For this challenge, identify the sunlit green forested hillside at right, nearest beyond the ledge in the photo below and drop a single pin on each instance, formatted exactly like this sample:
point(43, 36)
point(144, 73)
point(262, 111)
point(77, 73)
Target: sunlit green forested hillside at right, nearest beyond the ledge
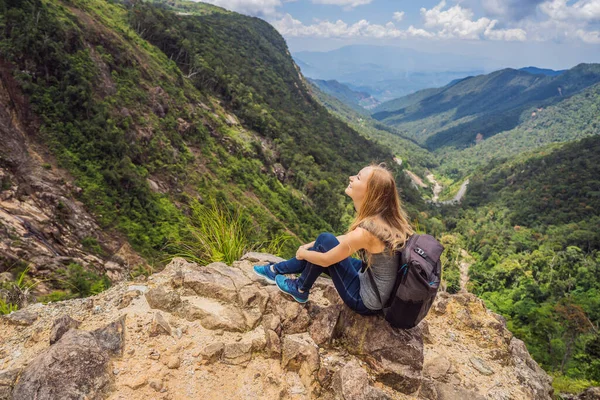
point(532, 225)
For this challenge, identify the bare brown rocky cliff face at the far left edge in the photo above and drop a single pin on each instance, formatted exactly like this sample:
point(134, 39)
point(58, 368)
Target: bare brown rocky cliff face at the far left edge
point(42, 223)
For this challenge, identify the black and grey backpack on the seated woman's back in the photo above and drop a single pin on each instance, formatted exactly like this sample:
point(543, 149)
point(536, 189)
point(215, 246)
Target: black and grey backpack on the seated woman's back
point(417, 282)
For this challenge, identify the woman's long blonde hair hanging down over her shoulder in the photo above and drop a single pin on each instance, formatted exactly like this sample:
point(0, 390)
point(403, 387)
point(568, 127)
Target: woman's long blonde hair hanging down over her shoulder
point(382, 200)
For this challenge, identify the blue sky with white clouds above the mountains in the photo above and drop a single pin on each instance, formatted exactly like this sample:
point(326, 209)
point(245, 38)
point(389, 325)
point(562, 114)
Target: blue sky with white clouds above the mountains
point(515, 33)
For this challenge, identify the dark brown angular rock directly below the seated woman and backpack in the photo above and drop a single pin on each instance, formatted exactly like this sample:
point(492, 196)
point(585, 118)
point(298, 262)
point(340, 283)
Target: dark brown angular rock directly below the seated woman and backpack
point(396, 356)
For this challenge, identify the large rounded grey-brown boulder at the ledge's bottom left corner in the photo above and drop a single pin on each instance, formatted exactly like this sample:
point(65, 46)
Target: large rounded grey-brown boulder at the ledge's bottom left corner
point(76, 367)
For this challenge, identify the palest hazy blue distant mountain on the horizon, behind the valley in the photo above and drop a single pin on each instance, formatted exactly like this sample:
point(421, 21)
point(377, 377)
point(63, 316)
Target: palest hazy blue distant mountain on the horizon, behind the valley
point(388, 72)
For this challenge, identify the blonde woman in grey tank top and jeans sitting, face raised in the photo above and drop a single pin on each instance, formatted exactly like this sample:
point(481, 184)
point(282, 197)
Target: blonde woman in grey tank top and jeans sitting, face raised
point(380, 228)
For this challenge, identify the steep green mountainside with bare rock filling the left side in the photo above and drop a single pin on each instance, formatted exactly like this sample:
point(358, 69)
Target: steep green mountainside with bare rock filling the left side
point(126, 123)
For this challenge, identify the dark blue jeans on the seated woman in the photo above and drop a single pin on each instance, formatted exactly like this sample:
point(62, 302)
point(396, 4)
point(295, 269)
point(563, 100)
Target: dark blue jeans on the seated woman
point(344, 274)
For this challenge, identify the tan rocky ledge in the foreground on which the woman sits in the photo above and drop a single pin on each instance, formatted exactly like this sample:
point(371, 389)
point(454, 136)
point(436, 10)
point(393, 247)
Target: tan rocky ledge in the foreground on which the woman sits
point(218, 331)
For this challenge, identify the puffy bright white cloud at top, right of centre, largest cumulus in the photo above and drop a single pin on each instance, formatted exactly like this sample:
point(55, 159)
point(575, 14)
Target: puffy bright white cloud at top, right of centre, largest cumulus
point(458, 23)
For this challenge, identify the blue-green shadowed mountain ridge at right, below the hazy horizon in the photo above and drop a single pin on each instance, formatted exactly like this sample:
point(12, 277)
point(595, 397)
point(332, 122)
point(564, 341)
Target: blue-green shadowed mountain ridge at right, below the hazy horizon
point(482, 106)
